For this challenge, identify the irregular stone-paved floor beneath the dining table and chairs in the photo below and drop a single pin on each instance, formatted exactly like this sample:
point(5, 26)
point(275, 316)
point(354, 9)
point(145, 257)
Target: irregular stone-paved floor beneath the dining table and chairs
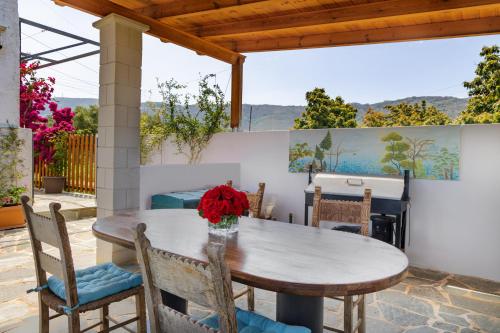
point(426, 302)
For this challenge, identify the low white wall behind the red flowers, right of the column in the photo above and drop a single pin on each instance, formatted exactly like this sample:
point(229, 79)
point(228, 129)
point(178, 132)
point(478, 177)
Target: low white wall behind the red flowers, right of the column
point(168, 178)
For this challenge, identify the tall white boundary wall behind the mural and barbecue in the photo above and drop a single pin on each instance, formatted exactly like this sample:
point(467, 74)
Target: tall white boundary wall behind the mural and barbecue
point(455, 225)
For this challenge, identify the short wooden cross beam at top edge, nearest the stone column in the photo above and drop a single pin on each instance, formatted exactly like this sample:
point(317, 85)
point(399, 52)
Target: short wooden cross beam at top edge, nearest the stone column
point(189, 7)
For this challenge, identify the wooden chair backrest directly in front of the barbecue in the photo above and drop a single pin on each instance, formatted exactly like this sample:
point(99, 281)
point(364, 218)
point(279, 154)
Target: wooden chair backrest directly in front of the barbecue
point(357, 212)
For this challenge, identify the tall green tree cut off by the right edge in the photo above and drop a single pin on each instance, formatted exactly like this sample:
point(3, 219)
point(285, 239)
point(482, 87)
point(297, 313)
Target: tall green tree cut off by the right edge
point(483, 106)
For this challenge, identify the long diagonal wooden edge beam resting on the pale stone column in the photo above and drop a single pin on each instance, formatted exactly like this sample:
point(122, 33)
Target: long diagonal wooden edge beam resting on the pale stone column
point(156, 28)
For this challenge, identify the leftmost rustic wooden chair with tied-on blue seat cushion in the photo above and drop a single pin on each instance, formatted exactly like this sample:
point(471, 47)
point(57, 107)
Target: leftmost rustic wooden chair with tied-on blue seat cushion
point(69, 292)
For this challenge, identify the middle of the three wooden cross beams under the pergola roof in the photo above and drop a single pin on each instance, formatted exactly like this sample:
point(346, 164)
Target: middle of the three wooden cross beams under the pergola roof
point(374, 10)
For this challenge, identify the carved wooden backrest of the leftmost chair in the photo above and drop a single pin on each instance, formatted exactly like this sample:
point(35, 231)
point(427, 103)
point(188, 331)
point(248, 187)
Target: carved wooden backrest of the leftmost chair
point(51, 231)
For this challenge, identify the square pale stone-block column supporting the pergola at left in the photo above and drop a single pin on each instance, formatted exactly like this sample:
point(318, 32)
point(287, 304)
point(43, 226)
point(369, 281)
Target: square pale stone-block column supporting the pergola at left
point(118, 154)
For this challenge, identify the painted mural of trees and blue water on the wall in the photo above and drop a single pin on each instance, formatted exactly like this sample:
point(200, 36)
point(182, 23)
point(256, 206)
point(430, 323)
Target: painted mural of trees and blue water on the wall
point(430, 152)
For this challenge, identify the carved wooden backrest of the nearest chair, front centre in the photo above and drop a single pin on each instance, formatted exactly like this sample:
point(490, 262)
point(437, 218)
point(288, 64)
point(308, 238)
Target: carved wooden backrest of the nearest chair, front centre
point(208, 285)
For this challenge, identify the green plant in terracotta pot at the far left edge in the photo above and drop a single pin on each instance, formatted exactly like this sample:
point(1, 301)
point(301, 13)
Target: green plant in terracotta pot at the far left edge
point(11, 164)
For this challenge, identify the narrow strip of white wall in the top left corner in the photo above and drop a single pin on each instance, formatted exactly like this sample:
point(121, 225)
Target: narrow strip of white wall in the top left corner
point(9, 63)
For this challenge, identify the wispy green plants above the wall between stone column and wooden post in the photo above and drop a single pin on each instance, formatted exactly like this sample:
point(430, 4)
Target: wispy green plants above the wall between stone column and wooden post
point(191, 129)
